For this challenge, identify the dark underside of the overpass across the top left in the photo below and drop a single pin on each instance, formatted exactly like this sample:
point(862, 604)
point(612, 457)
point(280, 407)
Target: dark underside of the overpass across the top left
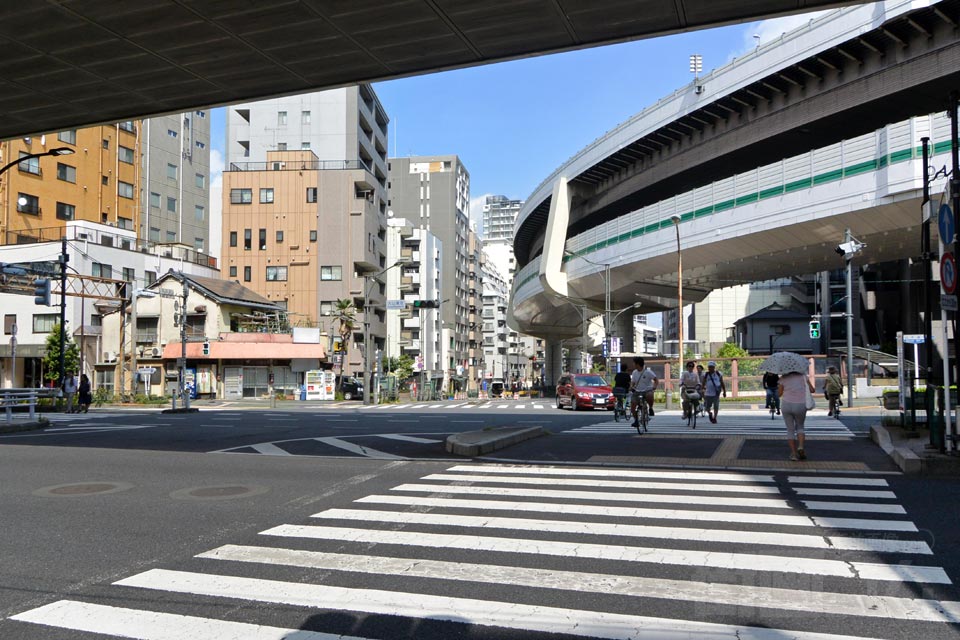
point(80, 62)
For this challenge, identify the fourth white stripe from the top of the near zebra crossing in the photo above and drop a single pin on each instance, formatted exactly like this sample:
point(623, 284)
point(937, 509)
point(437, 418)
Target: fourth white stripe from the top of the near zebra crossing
point(645, 513)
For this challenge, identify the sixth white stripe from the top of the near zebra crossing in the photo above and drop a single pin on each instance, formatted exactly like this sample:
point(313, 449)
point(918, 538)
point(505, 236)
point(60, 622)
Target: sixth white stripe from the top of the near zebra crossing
point(647, 555)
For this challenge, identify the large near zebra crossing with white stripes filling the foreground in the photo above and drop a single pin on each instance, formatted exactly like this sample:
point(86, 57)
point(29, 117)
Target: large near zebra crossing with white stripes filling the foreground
point(596, 553)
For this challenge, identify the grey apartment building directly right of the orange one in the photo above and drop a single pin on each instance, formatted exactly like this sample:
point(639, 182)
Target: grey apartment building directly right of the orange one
point(175, 199)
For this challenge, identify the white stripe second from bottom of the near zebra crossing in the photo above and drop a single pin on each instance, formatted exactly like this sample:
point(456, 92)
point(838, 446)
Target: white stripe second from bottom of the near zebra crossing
point(590, 624)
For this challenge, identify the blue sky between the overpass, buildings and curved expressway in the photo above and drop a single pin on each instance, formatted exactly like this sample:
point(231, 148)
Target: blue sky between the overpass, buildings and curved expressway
point(513, 123)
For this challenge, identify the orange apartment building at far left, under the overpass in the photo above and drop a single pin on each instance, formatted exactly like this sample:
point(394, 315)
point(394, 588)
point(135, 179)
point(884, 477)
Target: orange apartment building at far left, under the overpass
point(98, 181)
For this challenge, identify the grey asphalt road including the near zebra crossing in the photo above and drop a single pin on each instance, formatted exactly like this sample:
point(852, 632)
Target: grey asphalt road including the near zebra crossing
point(158, 526)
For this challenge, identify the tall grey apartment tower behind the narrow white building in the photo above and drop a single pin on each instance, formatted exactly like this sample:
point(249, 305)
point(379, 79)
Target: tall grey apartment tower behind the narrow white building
point(433, 192)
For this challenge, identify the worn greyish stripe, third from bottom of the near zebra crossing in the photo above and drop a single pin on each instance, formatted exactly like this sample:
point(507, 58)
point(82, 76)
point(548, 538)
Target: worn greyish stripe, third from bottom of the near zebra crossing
point(820, 602)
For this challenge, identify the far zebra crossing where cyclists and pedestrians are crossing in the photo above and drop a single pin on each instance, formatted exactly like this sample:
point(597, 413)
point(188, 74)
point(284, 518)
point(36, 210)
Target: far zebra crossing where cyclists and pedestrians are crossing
point(729, 423)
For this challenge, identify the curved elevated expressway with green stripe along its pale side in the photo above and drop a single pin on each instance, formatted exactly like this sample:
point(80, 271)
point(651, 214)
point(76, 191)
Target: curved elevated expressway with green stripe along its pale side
point(766, 164)
